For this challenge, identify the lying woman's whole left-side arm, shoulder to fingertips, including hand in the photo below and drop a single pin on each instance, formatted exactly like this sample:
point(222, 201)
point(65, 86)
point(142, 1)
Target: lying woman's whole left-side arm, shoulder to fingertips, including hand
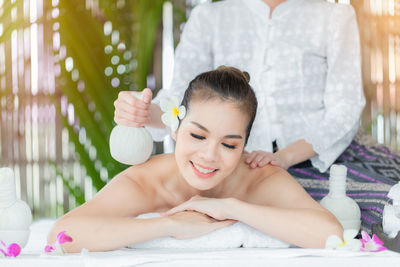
point(107, 221)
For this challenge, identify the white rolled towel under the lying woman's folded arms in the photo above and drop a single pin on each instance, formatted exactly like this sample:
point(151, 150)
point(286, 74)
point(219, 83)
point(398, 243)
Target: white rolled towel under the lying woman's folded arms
point(233, 236)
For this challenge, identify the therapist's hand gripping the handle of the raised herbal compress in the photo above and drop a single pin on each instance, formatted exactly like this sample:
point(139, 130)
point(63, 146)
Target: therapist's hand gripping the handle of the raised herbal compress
point(130, 111)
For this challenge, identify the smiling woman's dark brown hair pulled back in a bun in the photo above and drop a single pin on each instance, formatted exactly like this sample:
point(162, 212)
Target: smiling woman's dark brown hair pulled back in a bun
point(227, 84)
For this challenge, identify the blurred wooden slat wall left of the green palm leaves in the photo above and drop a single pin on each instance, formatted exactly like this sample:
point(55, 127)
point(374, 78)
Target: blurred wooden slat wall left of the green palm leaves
point(31, 133)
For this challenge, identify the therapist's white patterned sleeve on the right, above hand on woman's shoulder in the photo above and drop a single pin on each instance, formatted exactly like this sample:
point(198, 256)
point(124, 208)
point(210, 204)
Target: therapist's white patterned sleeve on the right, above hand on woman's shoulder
point(343, 98)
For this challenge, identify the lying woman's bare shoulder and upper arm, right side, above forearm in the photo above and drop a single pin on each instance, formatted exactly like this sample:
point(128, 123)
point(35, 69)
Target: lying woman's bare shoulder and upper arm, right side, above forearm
point(274, 186)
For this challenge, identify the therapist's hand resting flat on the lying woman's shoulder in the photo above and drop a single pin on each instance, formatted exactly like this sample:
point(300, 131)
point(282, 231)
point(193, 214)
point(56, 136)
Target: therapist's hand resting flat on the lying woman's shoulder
point(259, 158)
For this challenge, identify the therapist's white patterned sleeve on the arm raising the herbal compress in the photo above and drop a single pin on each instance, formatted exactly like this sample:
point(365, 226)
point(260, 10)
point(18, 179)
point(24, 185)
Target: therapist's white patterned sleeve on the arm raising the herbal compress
point(192, 56)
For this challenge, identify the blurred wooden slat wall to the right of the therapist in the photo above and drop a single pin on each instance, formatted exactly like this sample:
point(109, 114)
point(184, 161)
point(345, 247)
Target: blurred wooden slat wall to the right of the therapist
point(379, 23)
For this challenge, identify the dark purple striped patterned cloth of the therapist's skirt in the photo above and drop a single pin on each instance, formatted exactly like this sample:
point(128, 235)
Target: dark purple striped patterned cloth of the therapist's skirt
point(372, 170)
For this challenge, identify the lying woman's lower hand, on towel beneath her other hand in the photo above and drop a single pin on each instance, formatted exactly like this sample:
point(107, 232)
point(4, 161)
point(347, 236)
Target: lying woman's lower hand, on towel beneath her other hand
point(190, 224)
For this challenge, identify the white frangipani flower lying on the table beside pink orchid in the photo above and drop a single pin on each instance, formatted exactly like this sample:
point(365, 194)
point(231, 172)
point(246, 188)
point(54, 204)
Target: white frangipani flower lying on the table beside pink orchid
point(349, 243)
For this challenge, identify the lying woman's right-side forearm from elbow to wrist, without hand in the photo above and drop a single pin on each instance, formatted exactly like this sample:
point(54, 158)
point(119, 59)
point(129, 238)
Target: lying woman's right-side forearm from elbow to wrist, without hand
point(306, 227)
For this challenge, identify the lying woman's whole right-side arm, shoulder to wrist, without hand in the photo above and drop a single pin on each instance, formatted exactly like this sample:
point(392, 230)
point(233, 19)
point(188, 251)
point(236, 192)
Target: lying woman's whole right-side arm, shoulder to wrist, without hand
point(280, 207)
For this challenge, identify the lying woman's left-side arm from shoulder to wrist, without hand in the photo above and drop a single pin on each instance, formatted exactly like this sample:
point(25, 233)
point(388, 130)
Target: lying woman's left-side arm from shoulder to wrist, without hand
point(104, 222)
